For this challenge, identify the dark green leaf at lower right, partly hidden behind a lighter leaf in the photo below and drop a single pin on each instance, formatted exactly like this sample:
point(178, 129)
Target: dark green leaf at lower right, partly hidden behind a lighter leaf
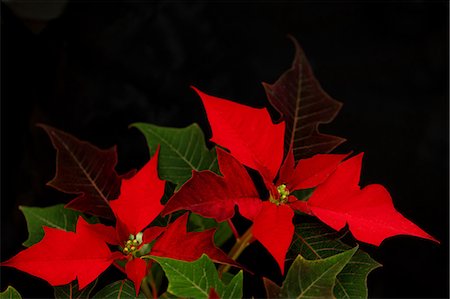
point(316, 241)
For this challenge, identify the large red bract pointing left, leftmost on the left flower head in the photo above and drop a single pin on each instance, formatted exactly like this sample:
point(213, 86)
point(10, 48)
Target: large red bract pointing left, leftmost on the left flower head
point(63, 256)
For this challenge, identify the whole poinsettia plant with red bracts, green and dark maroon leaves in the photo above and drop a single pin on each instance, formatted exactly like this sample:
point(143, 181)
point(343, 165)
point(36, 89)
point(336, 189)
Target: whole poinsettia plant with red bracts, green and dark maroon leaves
point(268, 182)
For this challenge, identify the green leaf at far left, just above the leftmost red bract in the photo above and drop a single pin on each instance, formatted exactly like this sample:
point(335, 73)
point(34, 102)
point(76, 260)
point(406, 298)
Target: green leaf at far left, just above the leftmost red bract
point(55, 216)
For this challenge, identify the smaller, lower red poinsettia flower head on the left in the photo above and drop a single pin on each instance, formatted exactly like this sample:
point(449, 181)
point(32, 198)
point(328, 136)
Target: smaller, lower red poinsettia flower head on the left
point(62, 256)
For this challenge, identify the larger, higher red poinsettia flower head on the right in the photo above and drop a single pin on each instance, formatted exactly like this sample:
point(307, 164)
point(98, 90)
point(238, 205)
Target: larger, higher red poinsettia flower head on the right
point(256, 142)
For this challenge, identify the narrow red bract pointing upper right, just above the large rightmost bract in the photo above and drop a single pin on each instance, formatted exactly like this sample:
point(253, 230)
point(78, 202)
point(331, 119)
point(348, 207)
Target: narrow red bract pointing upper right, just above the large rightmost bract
point(309, 172)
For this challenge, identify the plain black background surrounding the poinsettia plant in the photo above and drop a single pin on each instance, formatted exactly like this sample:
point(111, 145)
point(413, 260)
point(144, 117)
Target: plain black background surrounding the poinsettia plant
point(104, 65)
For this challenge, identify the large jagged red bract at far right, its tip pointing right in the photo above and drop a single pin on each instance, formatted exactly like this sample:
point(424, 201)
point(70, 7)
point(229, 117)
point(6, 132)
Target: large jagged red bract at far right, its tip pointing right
point(369, 212)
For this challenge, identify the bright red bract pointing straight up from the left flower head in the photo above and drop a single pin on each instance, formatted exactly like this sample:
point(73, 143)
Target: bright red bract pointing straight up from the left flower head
point(139, 200)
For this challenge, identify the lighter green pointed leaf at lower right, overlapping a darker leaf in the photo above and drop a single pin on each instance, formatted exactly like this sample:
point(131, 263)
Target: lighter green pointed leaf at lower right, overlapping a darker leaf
point(314, 278)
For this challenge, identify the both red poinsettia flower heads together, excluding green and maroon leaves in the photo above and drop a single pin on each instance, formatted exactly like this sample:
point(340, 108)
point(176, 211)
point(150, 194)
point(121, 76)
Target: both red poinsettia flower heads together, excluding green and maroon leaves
point(253, 141)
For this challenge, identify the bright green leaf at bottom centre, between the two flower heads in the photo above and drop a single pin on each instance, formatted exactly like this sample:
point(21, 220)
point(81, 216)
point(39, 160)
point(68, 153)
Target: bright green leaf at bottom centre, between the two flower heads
point(195, 279)
